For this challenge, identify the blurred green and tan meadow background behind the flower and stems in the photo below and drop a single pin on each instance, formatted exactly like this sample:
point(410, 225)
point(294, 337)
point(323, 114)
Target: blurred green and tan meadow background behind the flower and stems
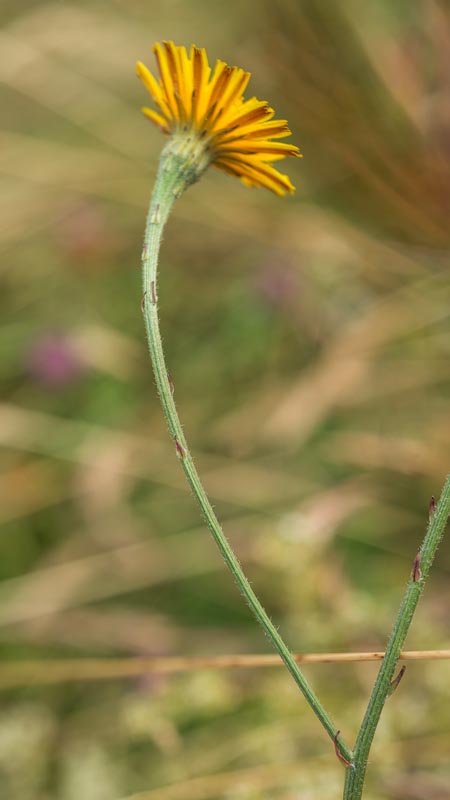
point(308, 340)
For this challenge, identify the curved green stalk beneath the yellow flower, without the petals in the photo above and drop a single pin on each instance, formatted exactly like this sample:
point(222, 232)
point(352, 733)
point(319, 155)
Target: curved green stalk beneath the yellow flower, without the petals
point(174, 175)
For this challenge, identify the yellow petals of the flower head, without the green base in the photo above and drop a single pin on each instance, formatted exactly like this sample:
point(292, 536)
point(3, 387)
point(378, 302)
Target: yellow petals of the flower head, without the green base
point(235, 134)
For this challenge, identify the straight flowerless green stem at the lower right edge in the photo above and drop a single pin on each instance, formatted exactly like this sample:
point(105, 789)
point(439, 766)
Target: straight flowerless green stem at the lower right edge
point(355, 777)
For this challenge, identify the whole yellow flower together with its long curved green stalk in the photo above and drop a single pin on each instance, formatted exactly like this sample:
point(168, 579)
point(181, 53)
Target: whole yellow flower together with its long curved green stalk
point(210, 123)
